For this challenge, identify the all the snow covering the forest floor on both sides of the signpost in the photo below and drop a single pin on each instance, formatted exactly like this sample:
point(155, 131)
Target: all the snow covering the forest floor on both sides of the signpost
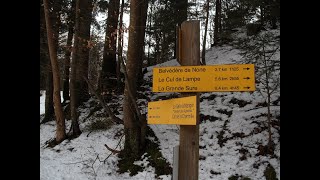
point(240, 128)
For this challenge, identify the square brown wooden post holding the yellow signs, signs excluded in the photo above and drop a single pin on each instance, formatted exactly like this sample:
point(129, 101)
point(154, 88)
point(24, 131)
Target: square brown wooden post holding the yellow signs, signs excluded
point(189, 134)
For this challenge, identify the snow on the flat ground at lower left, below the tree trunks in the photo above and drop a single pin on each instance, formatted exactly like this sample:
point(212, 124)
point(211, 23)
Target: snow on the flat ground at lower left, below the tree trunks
point(83, 157)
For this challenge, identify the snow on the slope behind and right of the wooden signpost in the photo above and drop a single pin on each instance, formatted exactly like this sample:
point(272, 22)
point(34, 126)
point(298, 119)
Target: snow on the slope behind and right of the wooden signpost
point(222, 162)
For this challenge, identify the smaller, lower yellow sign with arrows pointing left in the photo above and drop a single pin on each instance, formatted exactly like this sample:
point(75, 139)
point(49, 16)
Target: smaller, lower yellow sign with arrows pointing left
point(174, 111)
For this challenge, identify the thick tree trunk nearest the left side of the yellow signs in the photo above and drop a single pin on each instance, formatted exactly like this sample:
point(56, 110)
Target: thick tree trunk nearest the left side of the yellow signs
point(131, 121)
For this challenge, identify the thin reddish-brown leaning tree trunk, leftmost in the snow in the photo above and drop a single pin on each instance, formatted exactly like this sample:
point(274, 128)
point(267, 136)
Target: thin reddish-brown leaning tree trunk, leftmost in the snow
point(60, 132)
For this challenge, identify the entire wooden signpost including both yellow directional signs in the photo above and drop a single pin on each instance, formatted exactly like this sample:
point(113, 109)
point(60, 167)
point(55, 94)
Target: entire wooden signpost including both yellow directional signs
point(189, 79)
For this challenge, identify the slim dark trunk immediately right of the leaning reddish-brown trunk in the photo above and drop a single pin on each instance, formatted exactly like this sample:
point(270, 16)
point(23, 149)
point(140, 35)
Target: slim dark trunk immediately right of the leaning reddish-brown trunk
point(68, 52)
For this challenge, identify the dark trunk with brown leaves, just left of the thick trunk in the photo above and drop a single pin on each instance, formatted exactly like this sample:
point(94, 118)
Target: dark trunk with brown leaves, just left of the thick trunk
point(109, 52)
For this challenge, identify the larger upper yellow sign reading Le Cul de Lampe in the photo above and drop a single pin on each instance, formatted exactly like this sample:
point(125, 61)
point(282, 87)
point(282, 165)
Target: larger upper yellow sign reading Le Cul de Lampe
point(219, 78)
